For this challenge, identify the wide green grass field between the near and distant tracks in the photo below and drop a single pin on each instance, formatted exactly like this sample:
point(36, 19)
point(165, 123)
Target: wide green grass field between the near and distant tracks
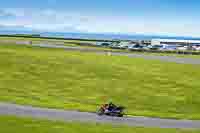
point(55, 78)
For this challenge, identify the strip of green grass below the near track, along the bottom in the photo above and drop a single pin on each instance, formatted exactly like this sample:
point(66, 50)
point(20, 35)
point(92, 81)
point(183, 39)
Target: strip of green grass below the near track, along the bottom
point(9, 124)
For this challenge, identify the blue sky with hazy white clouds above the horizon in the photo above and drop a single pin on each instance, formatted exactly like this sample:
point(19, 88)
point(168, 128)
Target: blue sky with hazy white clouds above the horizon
point(154, 17)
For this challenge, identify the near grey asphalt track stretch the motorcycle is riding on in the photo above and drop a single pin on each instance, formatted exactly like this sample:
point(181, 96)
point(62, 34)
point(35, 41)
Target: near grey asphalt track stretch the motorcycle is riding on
point(69, 116)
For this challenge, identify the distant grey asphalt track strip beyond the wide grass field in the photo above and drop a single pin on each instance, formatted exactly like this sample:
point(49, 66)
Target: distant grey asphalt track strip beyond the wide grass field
point(180, 60)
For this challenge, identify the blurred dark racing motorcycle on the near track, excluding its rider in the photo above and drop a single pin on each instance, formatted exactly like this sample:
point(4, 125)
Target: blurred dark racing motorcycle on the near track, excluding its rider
point(117, 111)
